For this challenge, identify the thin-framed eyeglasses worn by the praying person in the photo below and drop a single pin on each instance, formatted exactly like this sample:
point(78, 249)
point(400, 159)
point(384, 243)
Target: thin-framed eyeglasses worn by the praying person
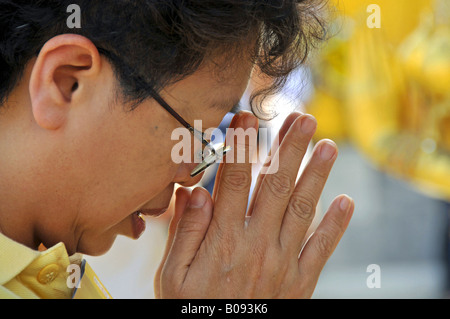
point(210, 154)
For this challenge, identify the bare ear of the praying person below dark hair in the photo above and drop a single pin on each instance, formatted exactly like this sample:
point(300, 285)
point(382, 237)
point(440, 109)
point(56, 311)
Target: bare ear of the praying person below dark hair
point(65, 66)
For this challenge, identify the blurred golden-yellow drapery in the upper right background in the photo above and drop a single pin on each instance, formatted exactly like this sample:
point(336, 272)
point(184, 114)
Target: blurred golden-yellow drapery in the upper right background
point(382, 81)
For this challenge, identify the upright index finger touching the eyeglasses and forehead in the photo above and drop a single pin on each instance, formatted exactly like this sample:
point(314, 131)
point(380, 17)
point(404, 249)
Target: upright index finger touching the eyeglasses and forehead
point(236, 176)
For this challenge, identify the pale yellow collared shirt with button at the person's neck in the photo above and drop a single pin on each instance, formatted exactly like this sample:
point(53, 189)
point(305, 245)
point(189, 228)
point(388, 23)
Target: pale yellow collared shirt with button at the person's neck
point(31, 274)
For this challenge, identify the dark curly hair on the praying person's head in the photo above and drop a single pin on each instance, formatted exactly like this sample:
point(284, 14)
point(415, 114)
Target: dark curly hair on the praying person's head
point(154, 43)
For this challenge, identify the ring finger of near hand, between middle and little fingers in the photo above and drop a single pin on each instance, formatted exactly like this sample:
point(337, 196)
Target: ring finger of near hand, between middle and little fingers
point(303, 202)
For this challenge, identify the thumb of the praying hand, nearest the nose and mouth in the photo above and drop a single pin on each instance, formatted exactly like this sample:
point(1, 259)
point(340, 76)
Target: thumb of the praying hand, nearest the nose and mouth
point(190, 232)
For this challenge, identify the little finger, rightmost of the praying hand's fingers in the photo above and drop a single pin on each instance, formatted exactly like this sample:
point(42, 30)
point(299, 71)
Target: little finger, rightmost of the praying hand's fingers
point(323, 242)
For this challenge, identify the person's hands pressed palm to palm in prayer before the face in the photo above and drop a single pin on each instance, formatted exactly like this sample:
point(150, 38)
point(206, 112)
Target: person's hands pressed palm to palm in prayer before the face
point(213, 253)
